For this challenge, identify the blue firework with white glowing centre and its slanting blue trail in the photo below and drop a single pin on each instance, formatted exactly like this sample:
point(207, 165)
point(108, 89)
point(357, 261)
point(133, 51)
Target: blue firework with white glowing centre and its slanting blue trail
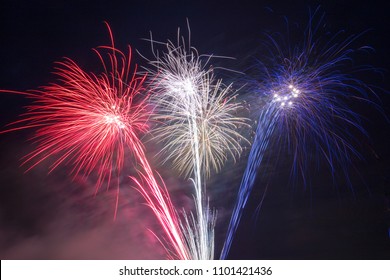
point(304, 89)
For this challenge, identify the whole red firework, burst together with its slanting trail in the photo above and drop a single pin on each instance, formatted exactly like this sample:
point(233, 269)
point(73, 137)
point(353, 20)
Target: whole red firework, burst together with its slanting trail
point(92, 122)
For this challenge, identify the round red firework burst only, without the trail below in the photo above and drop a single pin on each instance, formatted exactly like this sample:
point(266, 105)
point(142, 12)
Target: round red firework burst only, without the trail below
point(87, 120)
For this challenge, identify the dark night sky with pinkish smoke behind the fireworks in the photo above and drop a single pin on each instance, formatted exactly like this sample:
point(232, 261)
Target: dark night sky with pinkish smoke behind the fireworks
point(52, 217)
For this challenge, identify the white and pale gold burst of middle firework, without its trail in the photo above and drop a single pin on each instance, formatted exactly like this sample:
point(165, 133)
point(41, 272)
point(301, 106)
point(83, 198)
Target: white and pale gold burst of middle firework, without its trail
point(187, 92)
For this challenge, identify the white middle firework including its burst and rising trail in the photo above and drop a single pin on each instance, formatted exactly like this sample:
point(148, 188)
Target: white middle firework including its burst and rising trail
point(198, 128)
